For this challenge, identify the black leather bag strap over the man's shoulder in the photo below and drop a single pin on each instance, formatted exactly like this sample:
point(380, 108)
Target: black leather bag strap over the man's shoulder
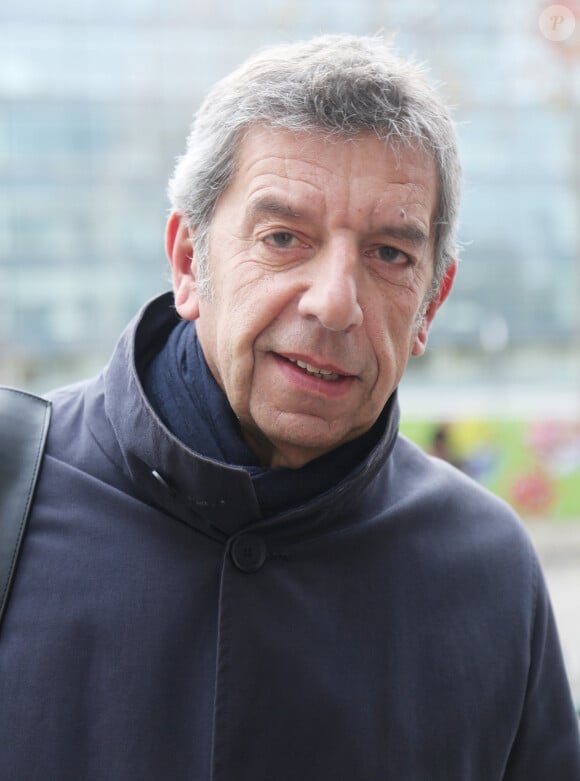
point(24, 421)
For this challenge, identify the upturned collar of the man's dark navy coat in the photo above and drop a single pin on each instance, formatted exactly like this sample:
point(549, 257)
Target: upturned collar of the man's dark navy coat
point(215, 498)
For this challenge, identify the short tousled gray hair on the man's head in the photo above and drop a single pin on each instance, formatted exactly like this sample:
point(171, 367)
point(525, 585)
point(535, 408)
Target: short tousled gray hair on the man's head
point(337, 85)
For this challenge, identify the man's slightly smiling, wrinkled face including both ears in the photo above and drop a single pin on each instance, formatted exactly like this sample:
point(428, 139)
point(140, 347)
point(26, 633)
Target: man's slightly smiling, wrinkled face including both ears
point(321, 258)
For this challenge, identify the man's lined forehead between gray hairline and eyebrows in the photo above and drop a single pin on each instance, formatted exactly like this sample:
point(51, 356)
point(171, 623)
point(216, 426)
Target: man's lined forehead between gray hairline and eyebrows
point(361, 172)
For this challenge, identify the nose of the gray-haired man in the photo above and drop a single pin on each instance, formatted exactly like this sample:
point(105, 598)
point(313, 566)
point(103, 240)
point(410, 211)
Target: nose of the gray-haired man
point(331, 295)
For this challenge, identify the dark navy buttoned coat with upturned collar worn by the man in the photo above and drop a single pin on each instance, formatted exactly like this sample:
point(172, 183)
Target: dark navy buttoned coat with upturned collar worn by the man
point(396, 627)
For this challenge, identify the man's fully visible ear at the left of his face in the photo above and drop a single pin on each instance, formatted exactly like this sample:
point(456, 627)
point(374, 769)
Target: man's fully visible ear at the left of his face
point(179, 250)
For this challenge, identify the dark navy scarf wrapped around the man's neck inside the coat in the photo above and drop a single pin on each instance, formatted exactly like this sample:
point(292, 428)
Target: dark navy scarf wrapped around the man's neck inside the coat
point(183, 392)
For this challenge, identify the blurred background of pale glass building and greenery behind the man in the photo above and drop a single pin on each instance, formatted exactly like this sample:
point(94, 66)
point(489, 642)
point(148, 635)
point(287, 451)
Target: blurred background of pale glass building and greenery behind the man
point(96, 98)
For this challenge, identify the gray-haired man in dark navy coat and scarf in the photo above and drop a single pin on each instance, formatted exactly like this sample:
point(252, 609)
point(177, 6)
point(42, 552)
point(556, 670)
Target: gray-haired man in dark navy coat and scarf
point(235, 567)
